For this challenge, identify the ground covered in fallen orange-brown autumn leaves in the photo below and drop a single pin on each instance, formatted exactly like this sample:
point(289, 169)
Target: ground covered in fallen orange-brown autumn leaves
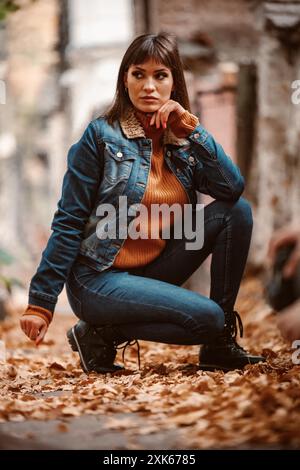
point(256, 407)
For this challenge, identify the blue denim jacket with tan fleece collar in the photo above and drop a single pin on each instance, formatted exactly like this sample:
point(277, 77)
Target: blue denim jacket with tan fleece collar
point(110, 161)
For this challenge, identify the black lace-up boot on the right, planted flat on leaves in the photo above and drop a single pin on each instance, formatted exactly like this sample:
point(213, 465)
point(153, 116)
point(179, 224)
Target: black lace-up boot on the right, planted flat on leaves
point(225, 353)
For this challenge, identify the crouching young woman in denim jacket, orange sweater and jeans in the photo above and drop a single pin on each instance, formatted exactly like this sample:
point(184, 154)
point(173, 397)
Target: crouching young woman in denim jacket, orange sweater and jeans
point(147, 149)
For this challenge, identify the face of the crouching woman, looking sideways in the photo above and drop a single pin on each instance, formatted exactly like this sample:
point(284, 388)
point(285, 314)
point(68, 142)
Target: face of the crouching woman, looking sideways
point(149, 85)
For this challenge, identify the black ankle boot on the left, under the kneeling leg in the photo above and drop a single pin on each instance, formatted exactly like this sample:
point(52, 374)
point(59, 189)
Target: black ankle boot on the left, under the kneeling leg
point(97, 347)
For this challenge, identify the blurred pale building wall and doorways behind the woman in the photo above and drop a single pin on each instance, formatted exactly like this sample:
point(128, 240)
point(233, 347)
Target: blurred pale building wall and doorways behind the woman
point(59, 61)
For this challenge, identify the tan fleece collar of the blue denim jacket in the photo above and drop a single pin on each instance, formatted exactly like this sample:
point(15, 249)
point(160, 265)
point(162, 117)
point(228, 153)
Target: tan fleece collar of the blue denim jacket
point(133, 129)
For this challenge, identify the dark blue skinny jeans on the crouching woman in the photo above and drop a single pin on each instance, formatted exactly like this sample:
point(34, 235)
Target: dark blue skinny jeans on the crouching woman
point(148, 303)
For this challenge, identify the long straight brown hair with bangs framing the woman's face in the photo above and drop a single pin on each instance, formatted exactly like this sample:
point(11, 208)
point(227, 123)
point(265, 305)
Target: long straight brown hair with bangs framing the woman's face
point(162, 48)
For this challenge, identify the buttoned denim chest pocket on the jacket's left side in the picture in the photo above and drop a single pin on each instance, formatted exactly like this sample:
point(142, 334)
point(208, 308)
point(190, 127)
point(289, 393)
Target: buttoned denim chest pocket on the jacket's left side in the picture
point(118, 164)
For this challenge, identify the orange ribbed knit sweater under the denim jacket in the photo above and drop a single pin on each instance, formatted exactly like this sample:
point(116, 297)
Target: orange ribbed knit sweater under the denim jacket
point(162, 187)
